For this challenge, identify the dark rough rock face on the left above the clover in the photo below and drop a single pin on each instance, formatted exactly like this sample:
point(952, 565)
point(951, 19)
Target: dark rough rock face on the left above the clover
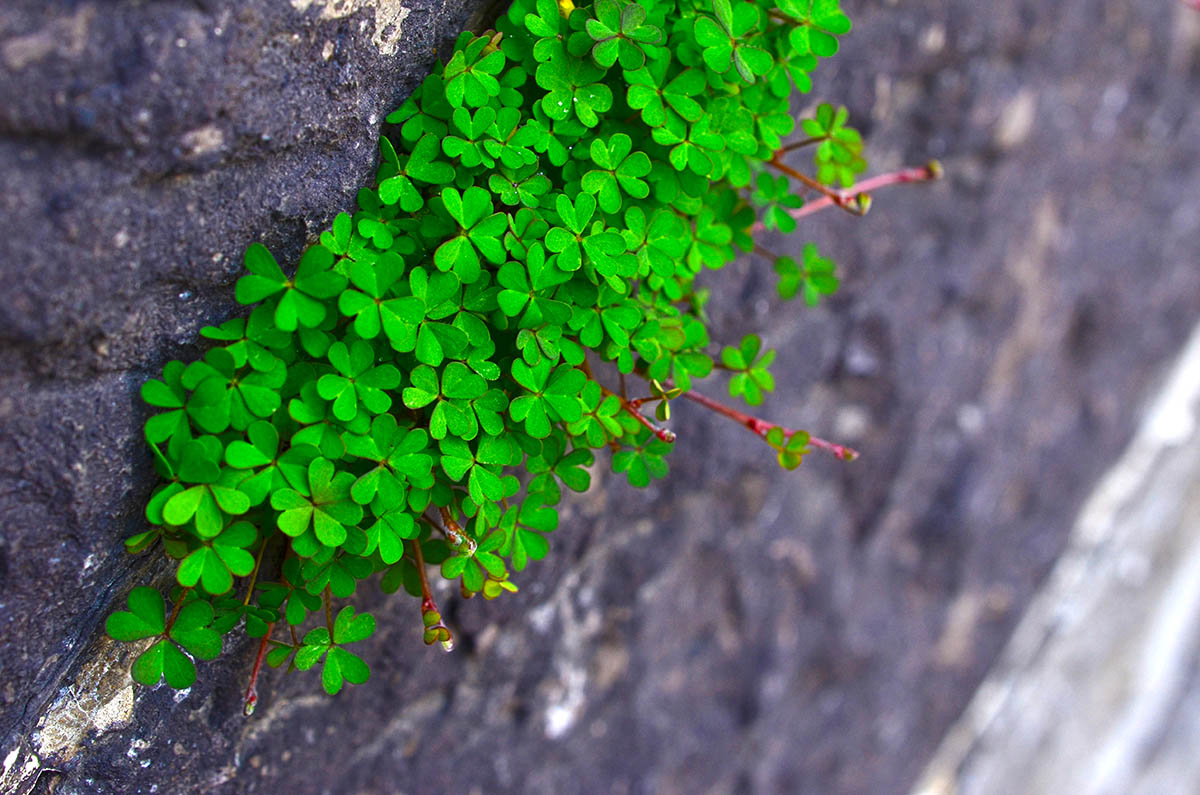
point(142, 148)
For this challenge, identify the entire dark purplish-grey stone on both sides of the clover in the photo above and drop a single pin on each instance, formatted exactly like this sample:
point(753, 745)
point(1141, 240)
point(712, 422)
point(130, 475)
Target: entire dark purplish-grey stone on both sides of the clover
point(734, 629)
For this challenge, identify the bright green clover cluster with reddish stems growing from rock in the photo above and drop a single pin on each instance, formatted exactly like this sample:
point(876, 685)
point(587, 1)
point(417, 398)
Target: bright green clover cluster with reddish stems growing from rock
point(421, 391)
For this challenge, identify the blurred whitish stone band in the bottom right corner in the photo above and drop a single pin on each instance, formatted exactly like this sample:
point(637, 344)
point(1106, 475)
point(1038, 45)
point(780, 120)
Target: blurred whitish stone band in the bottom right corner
point(1096, 692)
